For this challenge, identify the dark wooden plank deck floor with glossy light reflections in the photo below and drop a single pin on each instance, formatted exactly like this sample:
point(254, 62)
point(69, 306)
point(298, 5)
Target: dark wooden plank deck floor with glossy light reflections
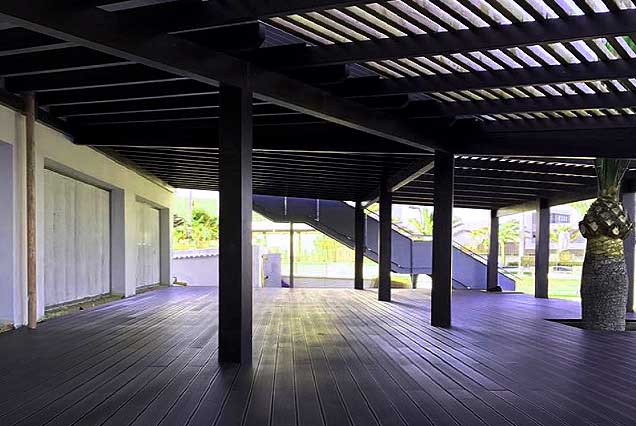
point(333, 357)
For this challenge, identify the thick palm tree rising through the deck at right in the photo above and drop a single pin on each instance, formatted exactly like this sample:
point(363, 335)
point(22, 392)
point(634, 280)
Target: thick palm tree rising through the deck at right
point(605, 225)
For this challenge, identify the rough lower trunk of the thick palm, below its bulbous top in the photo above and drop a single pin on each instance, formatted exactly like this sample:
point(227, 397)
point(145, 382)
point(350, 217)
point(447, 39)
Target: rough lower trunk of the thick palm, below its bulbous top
point(604, 285)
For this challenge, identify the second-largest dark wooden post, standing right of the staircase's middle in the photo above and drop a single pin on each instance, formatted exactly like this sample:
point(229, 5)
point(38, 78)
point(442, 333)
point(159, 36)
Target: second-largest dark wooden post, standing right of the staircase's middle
point(442, 240)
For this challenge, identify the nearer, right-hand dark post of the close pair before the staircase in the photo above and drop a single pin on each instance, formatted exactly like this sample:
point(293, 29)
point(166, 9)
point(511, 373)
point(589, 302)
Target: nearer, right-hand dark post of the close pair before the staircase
point(384, 244)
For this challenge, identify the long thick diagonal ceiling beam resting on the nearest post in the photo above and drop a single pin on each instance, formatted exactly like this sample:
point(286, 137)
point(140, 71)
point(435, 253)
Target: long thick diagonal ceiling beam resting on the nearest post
point(130, 40)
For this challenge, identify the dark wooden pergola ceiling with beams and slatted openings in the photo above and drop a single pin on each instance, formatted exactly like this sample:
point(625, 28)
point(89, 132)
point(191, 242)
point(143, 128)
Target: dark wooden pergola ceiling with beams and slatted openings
point(524, 92)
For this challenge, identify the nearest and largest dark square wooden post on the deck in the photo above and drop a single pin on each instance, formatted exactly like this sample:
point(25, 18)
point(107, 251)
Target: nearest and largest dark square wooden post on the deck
point(235, 225)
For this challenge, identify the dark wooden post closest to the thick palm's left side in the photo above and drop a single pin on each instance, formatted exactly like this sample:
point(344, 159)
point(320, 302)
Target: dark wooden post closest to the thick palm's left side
point(542, 249)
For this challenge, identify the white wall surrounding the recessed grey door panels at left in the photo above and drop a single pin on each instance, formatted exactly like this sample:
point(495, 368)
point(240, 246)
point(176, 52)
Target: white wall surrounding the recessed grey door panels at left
point(56, 152)
